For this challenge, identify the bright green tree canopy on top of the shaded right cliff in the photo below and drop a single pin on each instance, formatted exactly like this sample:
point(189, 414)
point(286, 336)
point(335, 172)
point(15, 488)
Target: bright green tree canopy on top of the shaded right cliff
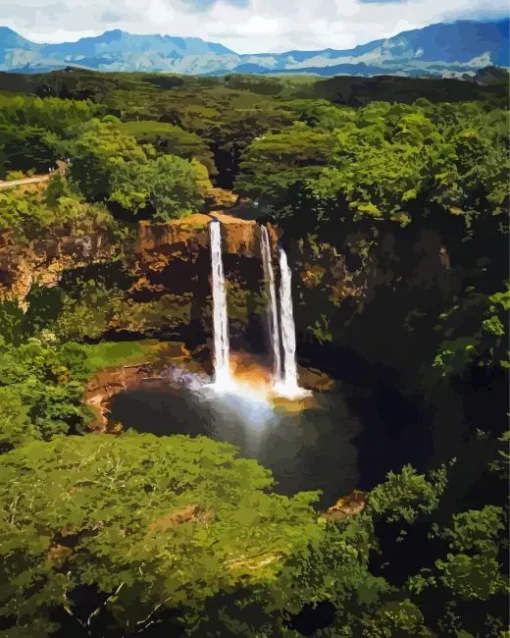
point(383, 159)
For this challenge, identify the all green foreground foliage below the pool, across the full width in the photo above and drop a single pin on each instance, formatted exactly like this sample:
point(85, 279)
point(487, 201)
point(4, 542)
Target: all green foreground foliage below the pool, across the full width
point(115, 534)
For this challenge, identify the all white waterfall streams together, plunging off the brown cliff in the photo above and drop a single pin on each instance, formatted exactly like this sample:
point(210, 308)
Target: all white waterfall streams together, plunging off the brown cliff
point(285, 377)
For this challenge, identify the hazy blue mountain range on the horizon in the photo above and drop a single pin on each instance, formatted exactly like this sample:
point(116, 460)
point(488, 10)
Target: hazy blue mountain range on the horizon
point(445, 49)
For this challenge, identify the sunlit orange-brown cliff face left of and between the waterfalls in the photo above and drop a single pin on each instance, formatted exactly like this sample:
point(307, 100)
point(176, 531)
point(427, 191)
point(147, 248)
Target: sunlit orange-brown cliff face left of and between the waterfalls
point(159, 275)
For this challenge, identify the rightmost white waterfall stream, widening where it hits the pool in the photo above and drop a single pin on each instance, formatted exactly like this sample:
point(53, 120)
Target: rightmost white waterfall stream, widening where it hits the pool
point(289, 385)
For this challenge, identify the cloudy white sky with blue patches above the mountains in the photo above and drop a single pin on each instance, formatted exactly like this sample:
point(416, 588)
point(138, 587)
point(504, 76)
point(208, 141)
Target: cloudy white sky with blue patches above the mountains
point(245, 26)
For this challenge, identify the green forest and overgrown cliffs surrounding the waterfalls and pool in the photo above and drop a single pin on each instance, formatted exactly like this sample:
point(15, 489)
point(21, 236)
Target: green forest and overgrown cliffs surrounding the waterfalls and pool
point(391, 196)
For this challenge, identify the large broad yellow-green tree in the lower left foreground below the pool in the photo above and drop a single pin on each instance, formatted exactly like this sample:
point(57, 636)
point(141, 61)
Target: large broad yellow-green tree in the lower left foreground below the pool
point(165, 522)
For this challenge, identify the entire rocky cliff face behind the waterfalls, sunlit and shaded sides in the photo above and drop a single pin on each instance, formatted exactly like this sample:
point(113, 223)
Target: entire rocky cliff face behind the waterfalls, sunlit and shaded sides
point(340, 293)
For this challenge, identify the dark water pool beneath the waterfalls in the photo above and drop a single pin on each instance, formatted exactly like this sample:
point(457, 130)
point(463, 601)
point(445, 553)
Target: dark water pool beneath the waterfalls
point(339, 444)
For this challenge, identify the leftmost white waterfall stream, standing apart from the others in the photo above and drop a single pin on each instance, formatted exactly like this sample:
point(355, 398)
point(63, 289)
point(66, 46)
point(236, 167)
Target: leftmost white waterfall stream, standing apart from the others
point(222, 374)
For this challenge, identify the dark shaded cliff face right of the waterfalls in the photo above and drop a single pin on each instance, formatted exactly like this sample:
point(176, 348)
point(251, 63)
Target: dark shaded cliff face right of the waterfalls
point(380, 300)
